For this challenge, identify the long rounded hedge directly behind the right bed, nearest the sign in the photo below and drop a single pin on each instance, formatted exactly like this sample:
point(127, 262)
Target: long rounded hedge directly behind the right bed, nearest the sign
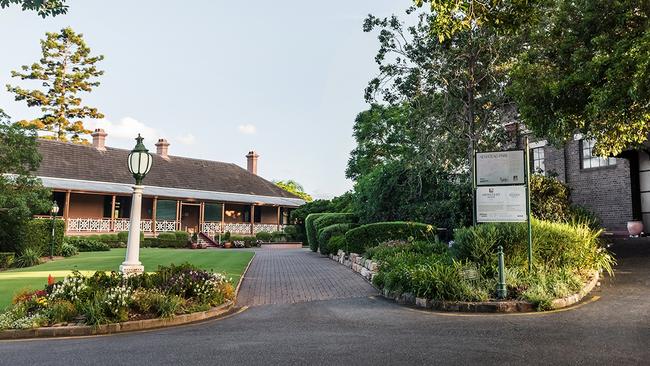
point(371, 235)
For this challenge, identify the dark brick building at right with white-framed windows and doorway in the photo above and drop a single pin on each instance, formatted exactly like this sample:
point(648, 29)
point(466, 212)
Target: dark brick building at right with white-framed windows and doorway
point(617, 189)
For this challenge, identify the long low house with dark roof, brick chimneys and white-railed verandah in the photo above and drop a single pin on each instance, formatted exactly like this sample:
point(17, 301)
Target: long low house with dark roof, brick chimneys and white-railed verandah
point(93, 186)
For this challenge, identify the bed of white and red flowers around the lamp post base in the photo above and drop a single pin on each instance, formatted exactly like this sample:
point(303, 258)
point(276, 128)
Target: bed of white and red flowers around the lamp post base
point(105, 298)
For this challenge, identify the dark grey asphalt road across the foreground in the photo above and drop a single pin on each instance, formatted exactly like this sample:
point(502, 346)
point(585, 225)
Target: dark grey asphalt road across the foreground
point(615, 329)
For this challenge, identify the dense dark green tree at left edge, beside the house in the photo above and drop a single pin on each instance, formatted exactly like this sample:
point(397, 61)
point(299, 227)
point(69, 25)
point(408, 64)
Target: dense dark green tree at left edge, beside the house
point(21, 194)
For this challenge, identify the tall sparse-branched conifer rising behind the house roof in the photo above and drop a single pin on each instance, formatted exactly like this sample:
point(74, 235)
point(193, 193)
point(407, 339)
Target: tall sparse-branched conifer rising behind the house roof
point(65, 70)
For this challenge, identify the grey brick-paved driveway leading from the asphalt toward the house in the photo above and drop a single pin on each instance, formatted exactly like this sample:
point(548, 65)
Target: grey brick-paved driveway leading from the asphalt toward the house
point(284, 276)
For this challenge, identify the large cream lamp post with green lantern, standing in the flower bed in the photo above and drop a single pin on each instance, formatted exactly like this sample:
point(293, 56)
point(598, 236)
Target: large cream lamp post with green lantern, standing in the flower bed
point(139, 163)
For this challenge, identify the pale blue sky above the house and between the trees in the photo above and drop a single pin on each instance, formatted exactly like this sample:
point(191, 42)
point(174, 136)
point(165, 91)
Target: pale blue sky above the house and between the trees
point(220, 78)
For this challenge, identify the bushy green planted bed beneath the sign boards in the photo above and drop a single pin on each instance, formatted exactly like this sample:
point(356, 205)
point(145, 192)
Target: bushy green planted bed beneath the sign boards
point(567, 259)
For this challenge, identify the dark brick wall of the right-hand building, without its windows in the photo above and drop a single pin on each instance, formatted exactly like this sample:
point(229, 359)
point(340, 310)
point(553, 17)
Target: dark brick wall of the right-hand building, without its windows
point(606, 190)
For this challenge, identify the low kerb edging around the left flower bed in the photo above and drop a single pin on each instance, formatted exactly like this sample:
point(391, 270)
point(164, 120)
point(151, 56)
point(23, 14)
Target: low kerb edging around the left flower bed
point(130, 326)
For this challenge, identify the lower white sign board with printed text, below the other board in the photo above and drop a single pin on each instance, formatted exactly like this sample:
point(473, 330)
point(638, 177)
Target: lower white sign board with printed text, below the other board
point(501, 204)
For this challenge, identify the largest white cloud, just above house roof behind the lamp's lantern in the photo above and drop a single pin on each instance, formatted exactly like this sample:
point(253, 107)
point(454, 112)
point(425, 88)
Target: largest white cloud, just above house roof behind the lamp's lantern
point(125, 130)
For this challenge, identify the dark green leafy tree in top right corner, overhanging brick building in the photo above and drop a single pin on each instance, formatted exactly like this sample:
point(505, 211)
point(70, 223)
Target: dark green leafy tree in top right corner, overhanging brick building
point(587, 70)
